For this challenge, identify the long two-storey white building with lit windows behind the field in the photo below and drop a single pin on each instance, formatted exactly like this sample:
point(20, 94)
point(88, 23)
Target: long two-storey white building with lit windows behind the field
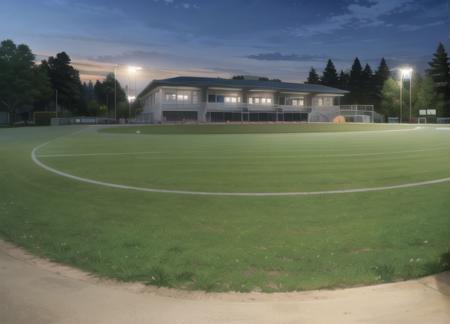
point(247, 99)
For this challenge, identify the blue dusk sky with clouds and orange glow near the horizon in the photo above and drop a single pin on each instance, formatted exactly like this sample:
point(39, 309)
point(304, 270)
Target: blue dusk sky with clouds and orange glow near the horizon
point(280, 39)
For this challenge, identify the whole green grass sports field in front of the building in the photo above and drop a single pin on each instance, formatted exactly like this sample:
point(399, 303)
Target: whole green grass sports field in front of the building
point(220, 242)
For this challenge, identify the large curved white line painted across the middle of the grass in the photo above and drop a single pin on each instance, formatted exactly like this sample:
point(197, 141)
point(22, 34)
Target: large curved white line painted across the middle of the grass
point(236, 194)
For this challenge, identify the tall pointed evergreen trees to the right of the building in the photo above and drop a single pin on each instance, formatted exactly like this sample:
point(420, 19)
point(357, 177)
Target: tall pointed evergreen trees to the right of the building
point(381, 87)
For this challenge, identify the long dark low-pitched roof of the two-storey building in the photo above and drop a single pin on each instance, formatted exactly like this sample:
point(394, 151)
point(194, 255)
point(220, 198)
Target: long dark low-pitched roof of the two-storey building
point(242, 84)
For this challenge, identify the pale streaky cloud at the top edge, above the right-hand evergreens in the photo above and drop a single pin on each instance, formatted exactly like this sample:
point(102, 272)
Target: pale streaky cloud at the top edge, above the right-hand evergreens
point(357, 14)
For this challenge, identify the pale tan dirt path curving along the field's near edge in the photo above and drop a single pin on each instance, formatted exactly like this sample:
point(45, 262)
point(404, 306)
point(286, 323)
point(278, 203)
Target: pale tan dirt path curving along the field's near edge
point(36, 291)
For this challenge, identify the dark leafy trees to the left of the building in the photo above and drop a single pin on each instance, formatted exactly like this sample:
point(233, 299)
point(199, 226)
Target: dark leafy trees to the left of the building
point(53, 85)
